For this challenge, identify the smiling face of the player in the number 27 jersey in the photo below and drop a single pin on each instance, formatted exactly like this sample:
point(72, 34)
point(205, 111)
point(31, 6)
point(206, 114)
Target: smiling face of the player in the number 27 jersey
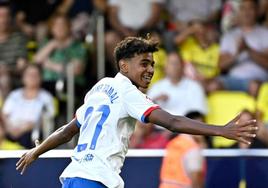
point(141, 69)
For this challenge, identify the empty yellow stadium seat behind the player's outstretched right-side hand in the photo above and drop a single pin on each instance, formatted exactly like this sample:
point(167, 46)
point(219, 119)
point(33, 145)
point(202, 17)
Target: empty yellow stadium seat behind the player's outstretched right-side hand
point(224, 106)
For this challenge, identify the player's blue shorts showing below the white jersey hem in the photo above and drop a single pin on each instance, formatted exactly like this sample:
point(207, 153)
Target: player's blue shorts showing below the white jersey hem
point(81, 182)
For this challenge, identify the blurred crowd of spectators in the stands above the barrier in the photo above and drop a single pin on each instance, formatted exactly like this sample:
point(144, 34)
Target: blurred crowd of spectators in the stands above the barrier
point(206, 46)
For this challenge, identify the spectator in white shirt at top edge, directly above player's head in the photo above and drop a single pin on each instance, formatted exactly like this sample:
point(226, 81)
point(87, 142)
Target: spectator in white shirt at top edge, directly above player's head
point(127, 21)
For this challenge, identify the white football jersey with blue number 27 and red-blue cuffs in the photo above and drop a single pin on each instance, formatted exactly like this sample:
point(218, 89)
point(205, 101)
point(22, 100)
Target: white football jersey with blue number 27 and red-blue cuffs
point(106, 121)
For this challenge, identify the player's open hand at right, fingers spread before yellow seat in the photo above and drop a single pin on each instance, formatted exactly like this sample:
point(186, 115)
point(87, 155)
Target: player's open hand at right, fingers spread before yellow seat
point(241, 131)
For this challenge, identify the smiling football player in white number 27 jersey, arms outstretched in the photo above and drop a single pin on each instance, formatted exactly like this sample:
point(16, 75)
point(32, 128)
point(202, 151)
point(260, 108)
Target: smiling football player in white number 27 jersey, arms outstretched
point(104, 121)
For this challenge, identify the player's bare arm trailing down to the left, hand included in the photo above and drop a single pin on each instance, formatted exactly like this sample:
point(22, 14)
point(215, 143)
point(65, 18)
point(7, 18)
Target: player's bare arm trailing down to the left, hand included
point(63, 135)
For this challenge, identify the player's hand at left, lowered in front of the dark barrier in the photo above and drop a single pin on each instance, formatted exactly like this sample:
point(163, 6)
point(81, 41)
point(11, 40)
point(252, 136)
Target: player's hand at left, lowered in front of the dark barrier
point(27, 158)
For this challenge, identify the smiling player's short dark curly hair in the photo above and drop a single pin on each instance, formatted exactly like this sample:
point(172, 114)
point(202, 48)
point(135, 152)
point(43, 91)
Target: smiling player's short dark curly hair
point(131, 46)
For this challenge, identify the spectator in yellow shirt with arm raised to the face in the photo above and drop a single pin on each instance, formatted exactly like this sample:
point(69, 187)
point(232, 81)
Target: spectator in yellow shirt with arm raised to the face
point(199, 51)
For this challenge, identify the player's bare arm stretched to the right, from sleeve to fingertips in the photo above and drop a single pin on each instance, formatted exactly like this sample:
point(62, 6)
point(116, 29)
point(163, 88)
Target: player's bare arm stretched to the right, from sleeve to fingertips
point(235, 129)
